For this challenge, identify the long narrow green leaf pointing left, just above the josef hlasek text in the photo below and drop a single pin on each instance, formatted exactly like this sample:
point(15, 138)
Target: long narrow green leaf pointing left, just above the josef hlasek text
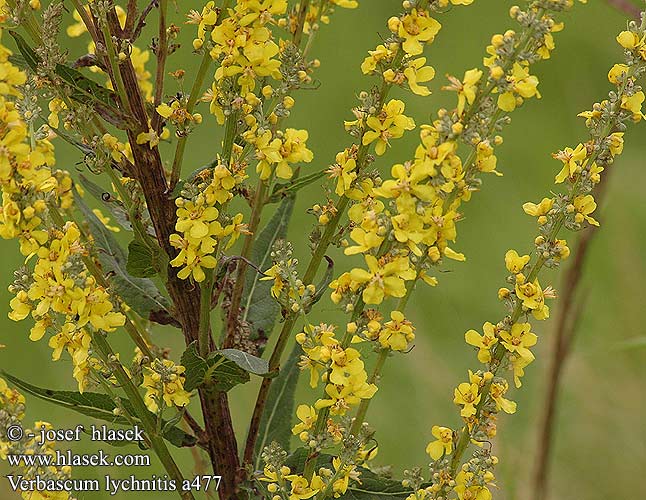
point(95, 405)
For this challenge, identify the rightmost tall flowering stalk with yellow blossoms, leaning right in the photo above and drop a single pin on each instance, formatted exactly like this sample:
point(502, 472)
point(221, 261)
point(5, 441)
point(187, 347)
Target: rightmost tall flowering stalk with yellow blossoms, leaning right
point(507, 345)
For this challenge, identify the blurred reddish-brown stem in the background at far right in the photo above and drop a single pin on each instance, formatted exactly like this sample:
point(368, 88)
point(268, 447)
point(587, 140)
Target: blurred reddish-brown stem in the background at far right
point(565, 331)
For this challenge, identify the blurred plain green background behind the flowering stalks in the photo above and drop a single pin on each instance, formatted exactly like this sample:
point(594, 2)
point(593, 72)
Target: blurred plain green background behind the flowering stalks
point(600, 449)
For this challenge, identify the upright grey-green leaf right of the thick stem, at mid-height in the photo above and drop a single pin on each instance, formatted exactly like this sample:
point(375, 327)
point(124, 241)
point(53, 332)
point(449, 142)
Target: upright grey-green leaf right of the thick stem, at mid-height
point(260, 310)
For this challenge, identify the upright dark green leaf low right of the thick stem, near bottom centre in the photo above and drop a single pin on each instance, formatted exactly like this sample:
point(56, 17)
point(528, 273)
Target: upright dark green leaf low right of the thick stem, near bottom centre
point(276, 422)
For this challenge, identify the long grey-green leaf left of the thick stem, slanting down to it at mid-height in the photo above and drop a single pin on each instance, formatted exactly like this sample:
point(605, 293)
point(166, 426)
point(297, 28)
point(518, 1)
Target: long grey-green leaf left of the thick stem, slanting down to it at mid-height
point(140, 294)
